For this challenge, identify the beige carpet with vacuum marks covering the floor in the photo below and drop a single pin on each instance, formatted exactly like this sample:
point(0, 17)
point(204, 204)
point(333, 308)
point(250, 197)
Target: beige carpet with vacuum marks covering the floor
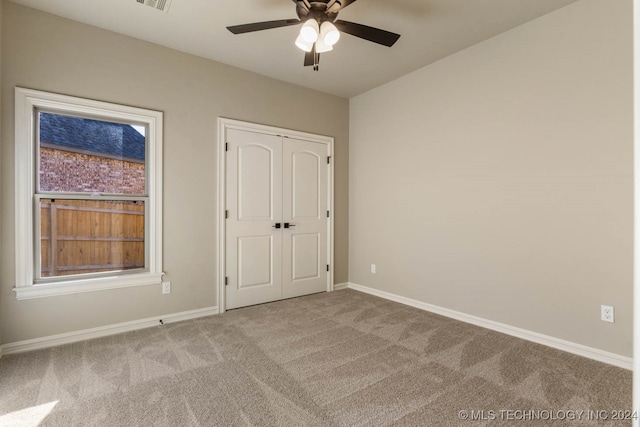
point(337, 359)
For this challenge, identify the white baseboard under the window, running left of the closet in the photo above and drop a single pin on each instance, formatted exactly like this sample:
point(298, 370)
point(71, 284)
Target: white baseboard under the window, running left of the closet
point(102, 331)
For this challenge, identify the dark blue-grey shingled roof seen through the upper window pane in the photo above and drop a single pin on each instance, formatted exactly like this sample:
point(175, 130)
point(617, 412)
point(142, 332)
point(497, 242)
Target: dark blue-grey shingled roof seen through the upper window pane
point(115, 139)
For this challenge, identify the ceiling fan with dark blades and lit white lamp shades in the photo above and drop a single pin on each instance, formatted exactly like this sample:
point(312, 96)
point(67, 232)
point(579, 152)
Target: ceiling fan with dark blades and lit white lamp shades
point(320, 29)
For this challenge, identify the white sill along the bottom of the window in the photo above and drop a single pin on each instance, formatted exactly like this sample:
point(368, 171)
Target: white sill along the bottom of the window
point(87, 285)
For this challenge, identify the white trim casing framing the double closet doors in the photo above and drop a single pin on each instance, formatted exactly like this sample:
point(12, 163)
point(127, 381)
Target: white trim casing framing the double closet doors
point(223, 125)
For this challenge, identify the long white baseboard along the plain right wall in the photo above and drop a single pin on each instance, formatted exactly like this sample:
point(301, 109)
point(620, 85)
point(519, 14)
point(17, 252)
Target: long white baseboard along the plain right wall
point(557, 343)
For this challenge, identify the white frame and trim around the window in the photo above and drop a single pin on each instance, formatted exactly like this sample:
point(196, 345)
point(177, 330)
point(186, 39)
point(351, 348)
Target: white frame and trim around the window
point(28, 102)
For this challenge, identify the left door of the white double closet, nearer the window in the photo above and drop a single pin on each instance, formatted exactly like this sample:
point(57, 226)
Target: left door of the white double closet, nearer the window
point(254, 204)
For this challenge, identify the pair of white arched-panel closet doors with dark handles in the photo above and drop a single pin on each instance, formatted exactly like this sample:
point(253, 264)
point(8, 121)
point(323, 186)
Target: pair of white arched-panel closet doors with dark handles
point(276, 226)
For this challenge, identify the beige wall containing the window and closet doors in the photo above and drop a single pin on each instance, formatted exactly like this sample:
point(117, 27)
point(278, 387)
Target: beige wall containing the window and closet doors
point(49, 53)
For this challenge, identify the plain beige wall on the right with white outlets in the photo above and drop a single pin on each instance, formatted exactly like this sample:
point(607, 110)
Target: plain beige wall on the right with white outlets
point(498, 181)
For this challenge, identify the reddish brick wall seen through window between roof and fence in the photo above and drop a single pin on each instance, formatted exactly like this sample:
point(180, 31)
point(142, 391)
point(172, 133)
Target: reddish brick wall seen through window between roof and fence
point(73, 172)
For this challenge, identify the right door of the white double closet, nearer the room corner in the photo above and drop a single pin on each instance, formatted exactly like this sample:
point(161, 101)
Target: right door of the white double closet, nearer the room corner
point(304, 198)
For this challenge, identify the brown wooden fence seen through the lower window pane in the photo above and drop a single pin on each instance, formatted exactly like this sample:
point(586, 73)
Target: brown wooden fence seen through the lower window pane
point(81, 236)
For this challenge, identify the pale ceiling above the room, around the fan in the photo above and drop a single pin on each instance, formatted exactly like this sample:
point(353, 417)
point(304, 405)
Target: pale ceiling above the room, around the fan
point(430, 29)
